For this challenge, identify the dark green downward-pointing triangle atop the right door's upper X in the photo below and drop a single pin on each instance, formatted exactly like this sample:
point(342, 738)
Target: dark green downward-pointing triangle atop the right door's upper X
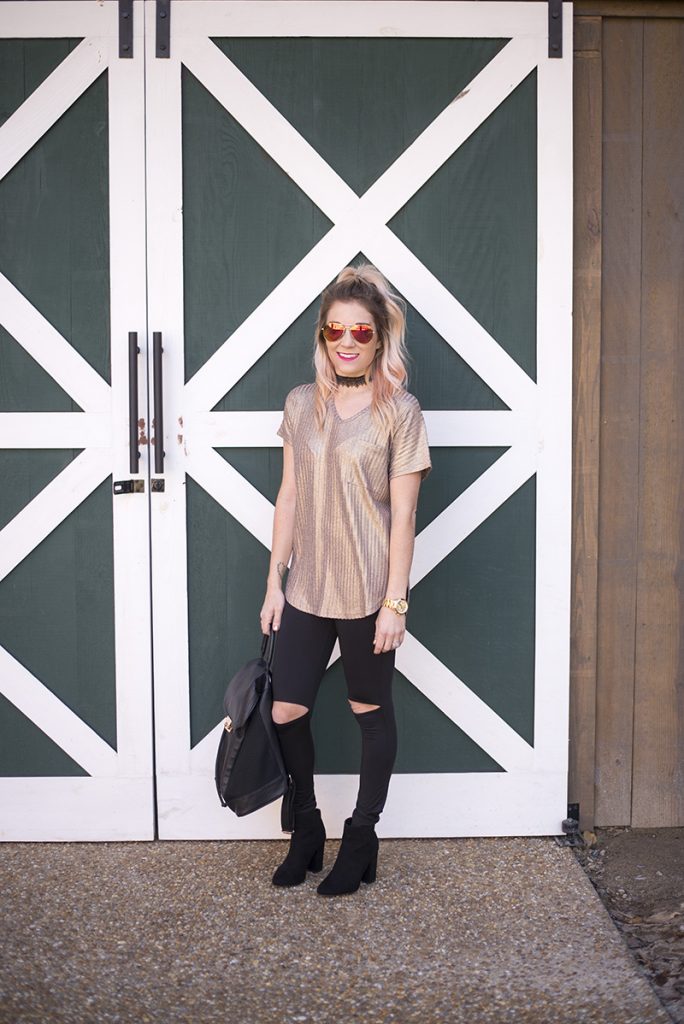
point(361, 103)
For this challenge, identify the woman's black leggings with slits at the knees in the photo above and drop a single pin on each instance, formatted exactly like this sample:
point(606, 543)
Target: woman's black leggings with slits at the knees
point(303, 652)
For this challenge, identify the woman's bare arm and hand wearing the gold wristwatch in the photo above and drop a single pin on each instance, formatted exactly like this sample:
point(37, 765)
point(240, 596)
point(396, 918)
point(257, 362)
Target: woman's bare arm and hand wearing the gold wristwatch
point(404, 490)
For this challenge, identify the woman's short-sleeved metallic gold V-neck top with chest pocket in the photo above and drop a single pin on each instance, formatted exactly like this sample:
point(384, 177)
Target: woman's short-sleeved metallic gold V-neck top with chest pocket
point(340, 560)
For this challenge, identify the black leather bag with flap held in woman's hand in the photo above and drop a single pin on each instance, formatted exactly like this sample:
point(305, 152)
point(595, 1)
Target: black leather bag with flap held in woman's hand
point(250, 773)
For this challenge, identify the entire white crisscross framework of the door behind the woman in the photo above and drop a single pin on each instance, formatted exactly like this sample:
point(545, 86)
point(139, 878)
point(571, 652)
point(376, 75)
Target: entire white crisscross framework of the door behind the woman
point(530, 796)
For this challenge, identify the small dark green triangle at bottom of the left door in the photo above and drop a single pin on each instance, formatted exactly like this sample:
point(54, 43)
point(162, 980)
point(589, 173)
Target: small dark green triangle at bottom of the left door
point(30, 751)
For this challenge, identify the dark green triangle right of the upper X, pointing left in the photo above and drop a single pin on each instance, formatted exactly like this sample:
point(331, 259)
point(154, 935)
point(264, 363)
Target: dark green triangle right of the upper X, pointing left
point(475, 225)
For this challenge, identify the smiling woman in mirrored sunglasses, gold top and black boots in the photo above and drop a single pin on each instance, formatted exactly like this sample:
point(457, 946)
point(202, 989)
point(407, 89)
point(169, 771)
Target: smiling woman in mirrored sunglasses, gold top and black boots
point(355, 453)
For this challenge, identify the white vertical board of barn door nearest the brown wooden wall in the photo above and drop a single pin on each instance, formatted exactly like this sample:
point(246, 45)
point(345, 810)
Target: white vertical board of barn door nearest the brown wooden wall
point(554, 328)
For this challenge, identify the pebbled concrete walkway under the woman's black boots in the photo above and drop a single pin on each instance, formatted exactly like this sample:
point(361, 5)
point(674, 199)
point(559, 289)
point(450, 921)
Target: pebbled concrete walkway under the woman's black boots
point(465, 930)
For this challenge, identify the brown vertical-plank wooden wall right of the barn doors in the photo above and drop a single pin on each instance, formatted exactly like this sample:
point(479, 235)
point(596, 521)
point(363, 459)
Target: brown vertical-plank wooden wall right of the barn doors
point(627, 692)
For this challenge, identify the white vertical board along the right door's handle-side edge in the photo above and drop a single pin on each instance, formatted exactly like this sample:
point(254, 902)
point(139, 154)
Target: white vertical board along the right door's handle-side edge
point(168, 509)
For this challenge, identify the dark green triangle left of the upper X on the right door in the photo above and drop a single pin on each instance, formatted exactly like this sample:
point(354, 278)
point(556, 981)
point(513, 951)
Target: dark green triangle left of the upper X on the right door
point(246, 225)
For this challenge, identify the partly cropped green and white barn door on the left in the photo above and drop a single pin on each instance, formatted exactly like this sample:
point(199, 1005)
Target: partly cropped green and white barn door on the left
point(75, 654)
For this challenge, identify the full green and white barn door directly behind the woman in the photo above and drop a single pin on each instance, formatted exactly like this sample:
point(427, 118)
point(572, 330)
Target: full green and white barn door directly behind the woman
point(434, 140)
